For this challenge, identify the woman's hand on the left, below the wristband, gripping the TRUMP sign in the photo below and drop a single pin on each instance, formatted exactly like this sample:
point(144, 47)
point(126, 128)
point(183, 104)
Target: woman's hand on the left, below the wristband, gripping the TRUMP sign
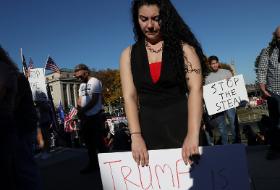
point(139, 150)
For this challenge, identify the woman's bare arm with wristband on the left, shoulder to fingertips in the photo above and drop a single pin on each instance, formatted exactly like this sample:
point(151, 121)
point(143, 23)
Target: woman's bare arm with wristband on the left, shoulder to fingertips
point(138, 146)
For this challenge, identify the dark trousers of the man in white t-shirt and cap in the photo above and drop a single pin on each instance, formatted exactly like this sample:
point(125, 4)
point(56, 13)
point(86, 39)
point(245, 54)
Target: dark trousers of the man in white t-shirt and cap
point(92, 132)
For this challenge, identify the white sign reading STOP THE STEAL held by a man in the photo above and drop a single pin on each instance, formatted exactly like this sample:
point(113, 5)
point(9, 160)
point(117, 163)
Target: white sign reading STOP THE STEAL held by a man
point(225, 94)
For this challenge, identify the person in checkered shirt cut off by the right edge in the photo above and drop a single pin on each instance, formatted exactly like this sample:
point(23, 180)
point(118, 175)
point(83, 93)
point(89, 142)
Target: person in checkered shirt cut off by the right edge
point(268, 75)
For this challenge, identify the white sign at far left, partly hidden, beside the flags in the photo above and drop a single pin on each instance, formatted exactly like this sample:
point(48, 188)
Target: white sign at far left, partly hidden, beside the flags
point(38, 84)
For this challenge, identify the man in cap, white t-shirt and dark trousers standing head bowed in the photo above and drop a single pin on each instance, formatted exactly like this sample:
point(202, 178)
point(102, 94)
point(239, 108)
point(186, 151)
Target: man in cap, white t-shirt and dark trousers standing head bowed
point(90, 115)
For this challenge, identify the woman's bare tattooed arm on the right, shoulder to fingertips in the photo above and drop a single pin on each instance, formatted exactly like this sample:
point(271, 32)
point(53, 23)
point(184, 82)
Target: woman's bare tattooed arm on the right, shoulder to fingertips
point(194, 82)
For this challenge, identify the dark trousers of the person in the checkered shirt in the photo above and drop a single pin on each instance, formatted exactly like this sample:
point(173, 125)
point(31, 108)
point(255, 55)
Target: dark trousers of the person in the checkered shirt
point(273, 103)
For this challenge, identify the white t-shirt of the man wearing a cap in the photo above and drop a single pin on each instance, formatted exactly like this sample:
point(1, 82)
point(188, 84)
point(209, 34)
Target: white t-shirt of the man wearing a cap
point(93, 86)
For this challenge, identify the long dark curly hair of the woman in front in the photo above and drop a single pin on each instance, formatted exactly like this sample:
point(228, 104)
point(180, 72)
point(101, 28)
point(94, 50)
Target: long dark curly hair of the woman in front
point(174, 32)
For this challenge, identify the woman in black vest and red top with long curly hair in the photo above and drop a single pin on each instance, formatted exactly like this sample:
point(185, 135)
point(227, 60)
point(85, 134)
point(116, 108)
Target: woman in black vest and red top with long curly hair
point(161, 76)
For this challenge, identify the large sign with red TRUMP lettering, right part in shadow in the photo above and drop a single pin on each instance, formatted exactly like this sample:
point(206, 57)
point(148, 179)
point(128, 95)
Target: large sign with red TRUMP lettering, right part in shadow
point(220, 167)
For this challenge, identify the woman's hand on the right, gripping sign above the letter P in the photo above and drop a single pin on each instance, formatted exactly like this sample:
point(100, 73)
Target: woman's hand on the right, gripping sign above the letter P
point(190, 151)
